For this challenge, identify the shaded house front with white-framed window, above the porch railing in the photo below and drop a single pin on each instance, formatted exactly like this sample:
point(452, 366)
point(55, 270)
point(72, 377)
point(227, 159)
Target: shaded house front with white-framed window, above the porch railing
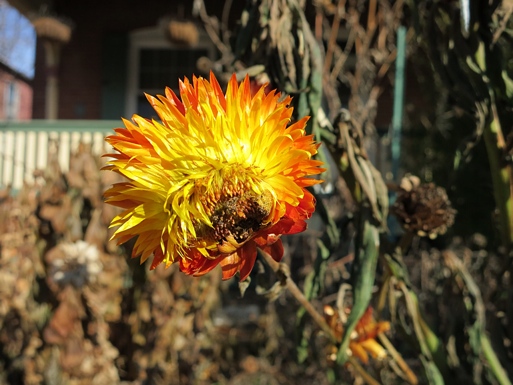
point(114, 52)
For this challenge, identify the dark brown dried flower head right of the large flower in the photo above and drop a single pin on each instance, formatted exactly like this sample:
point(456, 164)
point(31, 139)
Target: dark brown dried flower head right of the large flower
point(423, 209)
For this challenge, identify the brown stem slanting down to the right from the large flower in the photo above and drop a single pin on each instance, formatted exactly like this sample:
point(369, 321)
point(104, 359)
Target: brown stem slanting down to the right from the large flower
point(283, 273)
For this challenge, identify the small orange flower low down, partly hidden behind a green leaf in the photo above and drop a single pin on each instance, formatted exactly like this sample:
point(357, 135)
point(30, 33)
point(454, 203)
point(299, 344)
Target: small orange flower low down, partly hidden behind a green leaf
point(363, 340)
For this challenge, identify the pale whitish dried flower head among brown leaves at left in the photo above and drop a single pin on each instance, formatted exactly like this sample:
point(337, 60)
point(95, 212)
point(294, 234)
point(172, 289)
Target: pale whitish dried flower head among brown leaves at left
point(75, 263)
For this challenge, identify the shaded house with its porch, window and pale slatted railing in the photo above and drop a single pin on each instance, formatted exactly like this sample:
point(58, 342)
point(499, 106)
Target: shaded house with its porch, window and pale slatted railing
point(94, 62)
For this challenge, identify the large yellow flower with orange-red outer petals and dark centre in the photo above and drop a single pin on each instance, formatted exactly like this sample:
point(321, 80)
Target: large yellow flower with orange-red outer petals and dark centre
point(217, 176)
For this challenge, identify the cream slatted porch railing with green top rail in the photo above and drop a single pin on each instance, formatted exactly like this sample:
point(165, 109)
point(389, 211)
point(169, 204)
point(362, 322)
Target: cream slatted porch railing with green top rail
point(24, 146)
